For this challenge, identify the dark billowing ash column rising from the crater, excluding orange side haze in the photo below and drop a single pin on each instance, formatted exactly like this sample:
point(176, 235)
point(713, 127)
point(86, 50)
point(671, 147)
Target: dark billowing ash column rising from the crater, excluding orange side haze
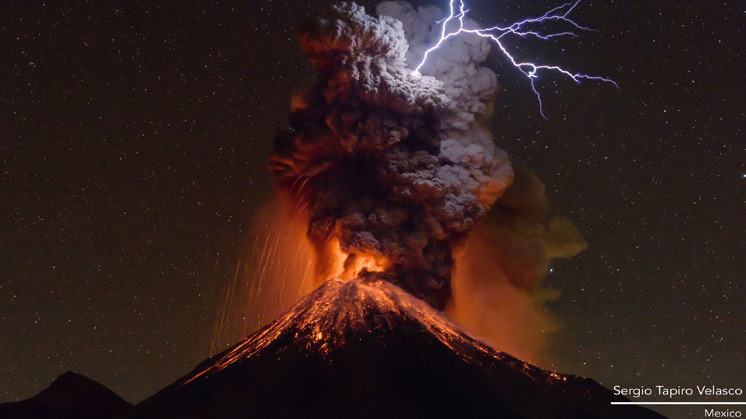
point(390, 165)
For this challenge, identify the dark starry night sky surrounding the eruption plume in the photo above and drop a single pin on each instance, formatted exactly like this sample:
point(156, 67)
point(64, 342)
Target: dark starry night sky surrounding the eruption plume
point(134, 140)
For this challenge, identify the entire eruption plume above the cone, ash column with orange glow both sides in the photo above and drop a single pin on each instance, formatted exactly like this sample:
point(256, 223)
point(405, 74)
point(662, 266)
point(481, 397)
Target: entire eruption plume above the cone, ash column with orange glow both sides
point(388, 170)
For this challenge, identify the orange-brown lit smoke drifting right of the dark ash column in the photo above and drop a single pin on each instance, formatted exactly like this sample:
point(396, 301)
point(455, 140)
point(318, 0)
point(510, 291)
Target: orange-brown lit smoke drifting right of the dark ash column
point(497, 284)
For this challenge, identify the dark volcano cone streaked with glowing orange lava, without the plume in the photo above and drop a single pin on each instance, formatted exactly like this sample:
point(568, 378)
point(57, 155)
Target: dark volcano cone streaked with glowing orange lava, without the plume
point(367, 349)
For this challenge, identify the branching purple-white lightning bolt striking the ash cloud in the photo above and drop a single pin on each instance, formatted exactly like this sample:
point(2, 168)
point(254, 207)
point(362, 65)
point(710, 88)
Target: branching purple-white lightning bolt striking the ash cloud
point(497, 33)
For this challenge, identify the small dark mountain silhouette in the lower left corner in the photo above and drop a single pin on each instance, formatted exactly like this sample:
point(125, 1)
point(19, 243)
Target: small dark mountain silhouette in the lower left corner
point(71, 395)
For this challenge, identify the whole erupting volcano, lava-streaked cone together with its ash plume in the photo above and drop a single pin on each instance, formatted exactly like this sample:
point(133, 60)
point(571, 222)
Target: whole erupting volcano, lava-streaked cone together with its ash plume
point(384, 173)
